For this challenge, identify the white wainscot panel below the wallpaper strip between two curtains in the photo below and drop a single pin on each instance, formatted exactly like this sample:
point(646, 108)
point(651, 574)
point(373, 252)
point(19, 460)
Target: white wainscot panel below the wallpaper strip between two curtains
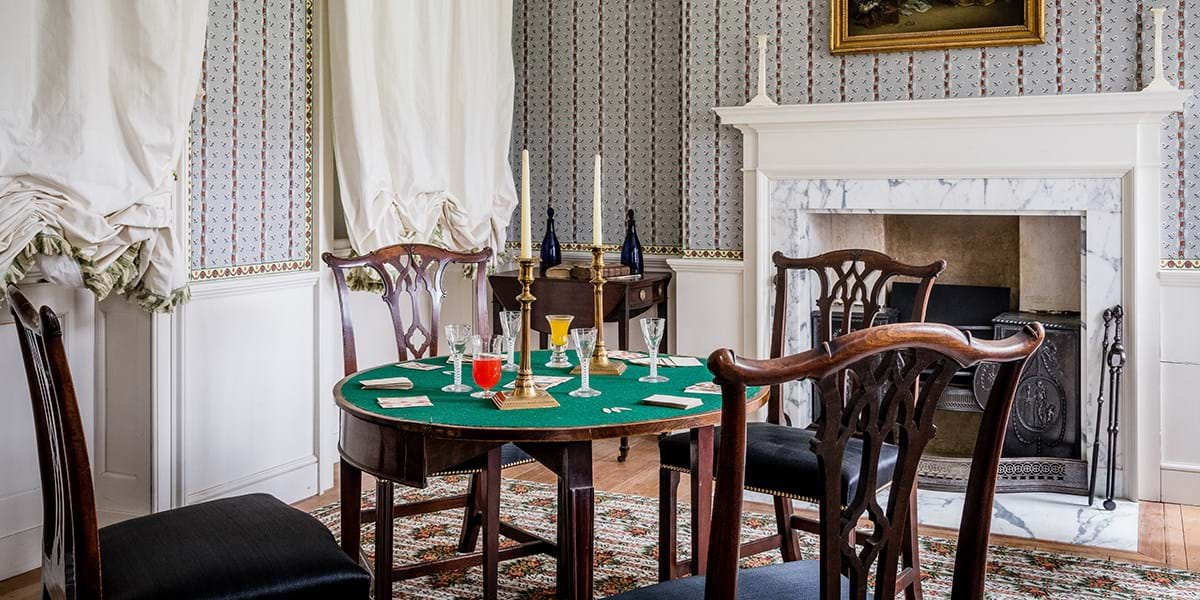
point(249, 389)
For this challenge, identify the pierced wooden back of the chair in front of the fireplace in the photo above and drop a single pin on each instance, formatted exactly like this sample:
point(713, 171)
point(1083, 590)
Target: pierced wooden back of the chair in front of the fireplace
point(847, 278)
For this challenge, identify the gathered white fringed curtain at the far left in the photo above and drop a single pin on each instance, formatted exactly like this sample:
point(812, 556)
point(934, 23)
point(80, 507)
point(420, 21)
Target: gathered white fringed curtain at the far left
point(95, 101)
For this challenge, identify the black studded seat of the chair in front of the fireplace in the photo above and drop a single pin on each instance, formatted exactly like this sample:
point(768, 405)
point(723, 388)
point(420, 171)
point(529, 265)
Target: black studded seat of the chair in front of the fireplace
point(781, 461)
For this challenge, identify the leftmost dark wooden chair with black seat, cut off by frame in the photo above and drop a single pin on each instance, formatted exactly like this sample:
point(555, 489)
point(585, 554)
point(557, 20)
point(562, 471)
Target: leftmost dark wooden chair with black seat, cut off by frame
point(249, 547)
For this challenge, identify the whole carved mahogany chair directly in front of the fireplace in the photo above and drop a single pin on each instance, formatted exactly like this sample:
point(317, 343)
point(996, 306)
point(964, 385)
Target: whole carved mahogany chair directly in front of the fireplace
point(849, 280)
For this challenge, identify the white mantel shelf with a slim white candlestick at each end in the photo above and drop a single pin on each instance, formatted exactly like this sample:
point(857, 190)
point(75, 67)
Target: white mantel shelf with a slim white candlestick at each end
point(1130, 106)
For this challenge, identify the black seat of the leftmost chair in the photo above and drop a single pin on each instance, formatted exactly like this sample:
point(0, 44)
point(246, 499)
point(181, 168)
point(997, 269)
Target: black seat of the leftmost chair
point(250, 547)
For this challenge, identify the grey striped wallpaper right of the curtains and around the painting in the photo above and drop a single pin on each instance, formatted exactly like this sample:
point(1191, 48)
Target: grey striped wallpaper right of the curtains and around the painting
point(587, 69)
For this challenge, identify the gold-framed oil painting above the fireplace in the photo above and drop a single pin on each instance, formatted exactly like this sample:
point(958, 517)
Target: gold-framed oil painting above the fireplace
point(883, 26)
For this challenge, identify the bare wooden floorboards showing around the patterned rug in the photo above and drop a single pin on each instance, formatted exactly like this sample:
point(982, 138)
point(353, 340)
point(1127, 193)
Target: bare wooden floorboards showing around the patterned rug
point(1168, 535)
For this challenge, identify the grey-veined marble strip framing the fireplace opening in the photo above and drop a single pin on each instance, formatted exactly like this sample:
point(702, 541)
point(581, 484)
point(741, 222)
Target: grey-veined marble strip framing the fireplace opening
point(796, 231)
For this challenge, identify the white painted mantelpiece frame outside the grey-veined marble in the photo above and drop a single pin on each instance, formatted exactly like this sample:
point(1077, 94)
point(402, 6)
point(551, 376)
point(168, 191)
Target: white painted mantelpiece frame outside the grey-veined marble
point(1115, 136)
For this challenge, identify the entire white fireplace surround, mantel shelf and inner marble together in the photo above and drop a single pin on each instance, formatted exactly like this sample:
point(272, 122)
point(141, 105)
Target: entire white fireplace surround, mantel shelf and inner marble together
point(1060, 154)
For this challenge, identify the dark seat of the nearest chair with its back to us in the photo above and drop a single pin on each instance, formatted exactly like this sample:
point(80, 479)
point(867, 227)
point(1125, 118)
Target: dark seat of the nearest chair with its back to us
point(800, 580)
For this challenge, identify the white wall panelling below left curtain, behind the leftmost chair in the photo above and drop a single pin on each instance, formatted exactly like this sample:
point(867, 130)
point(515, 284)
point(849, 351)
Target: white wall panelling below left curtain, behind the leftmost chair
point(21, 497)
